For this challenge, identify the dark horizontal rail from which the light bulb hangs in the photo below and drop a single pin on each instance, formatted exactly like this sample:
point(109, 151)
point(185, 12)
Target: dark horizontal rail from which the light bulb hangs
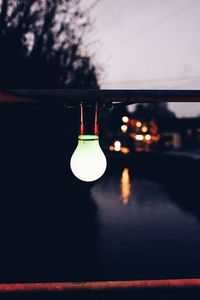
point(74, 96)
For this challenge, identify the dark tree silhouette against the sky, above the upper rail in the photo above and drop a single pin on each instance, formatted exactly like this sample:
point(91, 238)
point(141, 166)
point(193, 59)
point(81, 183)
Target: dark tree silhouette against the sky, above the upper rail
point(41, 45)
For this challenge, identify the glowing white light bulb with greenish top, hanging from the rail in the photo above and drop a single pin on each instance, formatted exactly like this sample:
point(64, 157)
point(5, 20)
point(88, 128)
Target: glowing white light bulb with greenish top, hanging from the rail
point(88, 162)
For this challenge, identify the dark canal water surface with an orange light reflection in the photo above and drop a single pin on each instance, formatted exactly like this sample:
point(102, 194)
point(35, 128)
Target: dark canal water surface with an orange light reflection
point(148, 237)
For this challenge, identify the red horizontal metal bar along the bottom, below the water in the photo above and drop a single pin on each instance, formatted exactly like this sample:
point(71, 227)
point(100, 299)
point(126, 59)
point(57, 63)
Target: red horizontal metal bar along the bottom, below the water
point(99, 285)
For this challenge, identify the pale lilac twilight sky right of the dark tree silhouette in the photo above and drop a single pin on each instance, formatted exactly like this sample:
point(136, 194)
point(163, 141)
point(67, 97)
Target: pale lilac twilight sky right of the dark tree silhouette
point(147, 44)
